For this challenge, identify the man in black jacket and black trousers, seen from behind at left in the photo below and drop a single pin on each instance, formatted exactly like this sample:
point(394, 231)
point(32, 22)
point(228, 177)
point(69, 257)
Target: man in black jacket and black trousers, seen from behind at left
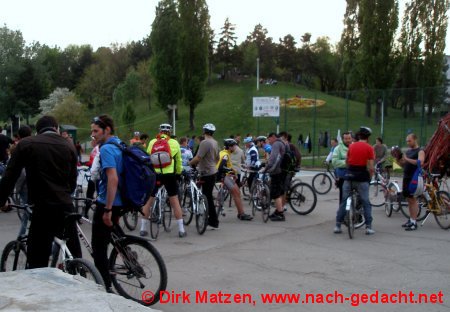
point(50, 163)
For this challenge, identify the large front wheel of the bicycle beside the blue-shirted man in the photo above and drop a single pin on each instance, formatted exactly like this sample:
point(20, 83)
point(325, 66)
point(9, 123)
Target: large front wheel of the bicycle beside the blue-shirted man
point(138, 271)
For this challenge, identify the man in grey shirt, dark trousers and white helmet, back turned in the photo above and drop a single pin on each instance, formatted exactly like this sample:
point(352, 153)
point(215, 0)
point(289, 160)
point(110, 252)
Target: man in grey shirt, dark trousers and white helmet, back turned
point(207, 157)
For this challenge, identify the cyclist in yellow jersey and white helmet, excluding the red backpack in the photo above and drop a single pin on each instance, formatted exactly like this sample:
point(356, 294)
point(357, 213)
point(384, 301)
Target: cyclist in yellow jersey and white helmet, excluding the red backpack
point(168, 177)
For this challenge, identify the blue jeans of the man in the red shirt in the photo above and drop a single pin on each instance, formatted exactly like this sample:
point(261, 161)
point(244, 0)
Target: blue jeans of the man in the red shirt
point(363, 190)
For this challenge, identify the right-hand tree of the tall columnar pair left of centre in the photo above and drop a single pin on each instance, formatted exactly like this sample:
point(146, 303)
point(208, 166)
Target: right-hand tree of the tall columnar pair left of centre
point(194, 40)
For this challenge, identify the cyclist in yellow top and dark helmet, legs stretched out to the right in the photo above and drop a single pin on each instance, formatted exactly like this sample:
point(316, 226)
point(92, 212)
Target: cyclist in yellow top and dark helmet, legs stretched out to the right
point(224, 167)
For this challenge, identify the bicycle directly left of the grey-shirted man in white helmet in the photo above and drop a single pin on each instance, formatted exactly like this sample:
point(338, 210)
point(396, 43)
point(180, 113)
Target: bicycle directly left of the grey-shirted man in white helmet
point(193, 202)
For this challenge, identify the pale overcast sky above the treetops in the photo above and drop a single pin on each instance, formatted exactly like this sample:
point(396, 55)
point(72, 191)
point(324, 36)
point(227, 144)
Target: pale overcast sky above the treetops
point(102, 22)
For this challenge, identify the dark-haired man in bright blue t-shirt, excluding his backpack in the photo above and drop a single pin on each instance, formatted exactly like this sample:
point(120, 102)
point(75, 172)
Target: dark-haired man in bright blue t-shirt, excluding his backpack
point(109, 199)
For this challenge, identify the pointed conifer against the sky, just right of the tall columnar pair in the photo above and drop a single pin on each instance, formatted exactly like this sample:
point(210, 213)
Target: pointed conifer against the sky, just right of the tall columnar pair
point(226, 46)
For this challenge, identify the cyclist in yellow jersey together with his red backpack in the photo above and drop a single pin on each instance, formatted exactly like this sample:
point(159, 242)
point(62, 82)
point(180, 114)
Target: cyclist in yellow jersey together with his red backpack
point(165, 155)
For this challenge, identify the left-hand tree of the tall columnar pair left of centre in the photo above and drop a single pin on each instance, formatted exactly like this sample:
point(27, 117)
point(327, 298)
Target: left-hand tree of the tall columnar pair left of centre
point(165, 66)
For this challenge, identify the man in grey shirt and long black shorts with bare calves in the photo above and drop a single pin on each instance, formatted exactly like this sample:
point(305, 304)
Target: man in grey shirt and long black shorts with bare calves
point(277, 176)
